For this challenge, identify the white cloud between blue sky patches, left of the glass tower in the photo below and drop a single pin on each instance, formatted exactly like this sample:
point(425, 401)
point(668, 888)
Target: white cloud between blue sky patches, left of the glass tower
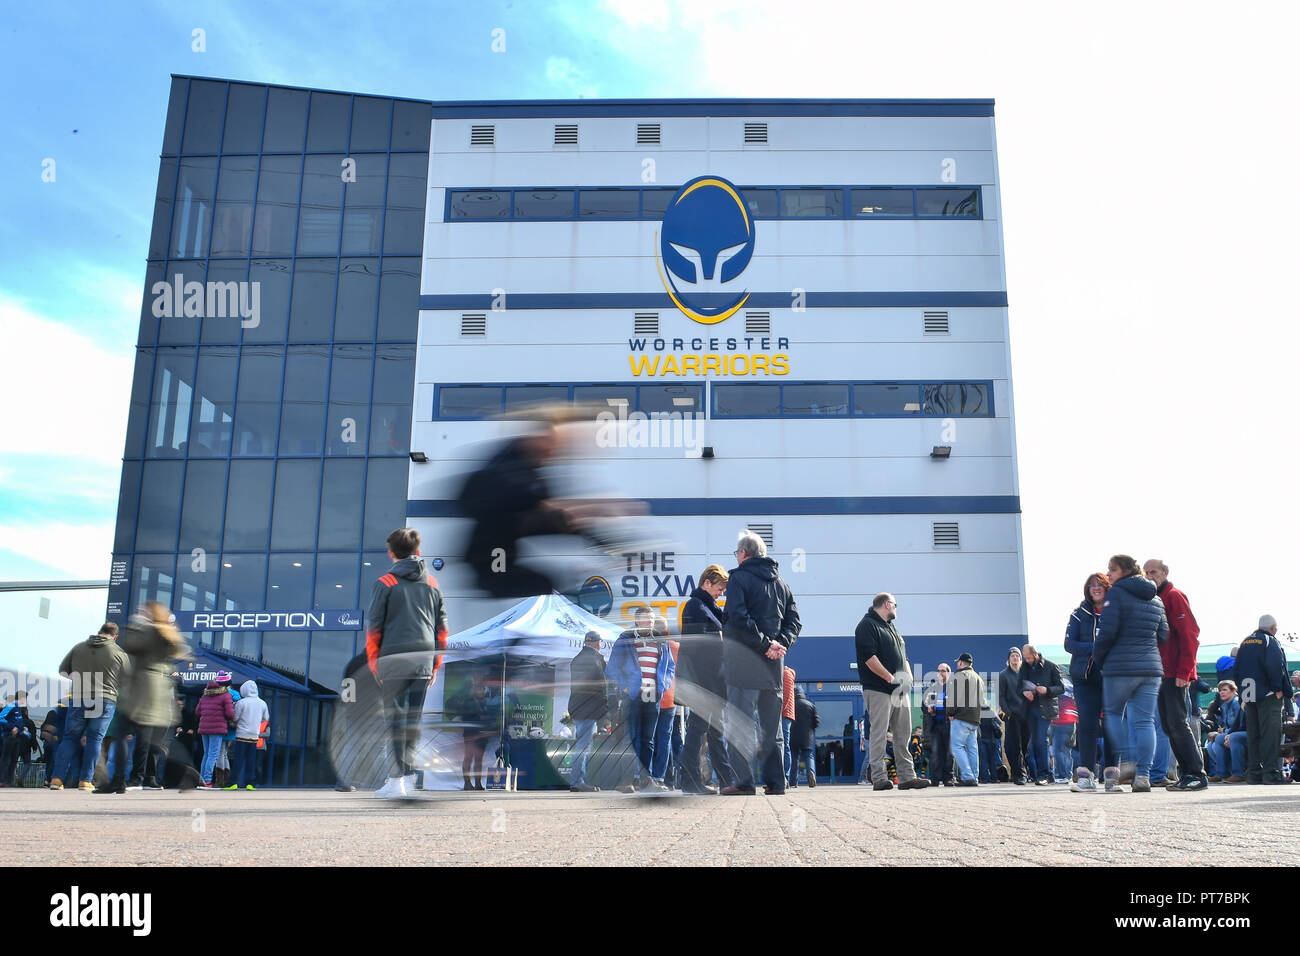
point(62, 393)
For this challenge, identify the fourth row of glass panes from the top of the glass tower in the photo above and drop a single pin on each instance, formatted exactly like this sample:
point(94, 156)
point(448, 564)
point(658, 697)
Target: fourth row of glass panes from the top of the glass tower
point(259, 401)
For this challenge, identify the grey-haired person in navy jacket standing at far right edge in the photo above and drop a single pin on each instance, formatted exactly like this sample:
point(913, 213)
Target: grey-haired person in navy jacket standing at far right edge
point(1262, 668)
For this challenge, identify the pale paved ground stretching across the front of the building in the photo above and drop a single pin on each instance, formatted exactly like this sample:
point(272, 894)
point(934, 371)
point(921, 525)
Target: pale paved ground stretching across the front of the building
point(830, 825)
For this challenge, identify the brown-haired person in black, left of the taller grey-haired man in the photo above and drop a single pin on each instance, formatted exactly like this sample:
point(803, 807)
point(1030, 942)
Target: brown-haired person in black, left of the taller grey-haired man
point(701, 685)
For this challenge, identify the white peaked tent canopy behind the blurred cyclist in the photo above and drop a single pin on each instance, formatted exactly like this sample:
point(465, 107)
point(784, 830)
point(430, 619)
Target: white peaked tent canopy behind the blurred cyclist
point(548, 630)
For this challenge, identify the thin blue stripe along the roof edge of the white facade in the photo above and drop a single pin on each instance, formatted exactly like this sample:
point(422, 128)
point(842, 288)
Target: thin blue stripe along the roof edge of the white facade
point(505, 110)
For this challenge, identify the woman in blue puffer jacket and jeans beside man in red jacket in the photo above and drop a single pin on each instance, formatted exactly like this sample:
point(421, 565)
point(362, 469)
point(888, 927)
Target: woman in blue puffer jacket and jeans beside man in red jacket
point(1128, 651)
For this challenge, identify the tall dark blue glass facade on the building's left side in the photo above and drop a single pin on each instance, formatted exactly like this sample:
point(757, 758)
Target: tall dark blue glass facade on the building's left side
point(271, 413)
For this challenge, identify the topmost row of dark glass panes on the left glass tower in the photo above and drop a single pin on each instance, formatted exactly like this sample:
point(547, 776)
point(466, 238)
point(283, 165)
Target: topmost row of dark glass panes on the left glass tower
point(206, 116)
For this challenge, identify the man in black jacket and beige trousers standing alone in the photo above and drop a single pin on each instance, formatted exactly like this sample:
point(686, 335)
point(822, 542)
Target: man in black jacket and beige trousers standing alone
point(886, 678)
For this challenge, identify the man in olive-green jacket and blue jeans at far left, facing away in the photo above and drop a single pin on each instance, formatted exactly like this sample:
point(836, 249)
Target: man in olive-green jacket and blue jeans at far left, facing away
point(94, 667)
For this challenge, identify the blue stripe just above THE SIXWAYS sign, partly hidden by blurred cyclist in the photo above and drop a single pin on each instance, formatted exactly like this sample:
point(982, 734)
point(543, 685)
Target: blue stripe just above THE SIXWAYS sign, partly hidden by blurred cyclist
point(753, 508)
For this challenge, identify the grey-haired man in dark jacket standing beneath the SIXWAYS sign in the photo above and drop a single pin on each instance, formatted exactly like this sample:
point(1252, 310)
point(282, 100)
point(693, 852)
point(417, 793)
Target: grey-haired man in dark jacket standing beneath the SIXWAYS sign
point(762, 625)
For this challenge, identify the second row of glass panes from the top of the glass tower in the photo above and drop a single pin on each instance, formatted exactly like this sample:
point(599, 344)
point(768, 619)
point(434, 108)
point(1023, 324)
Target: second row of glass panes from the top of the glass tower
point(331, 205)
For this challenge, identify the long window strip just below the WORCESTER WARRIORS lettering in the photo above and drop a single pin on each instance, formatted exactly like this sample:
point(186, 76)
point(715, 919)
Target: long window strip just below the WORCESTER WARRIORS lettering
point(730, 401)
